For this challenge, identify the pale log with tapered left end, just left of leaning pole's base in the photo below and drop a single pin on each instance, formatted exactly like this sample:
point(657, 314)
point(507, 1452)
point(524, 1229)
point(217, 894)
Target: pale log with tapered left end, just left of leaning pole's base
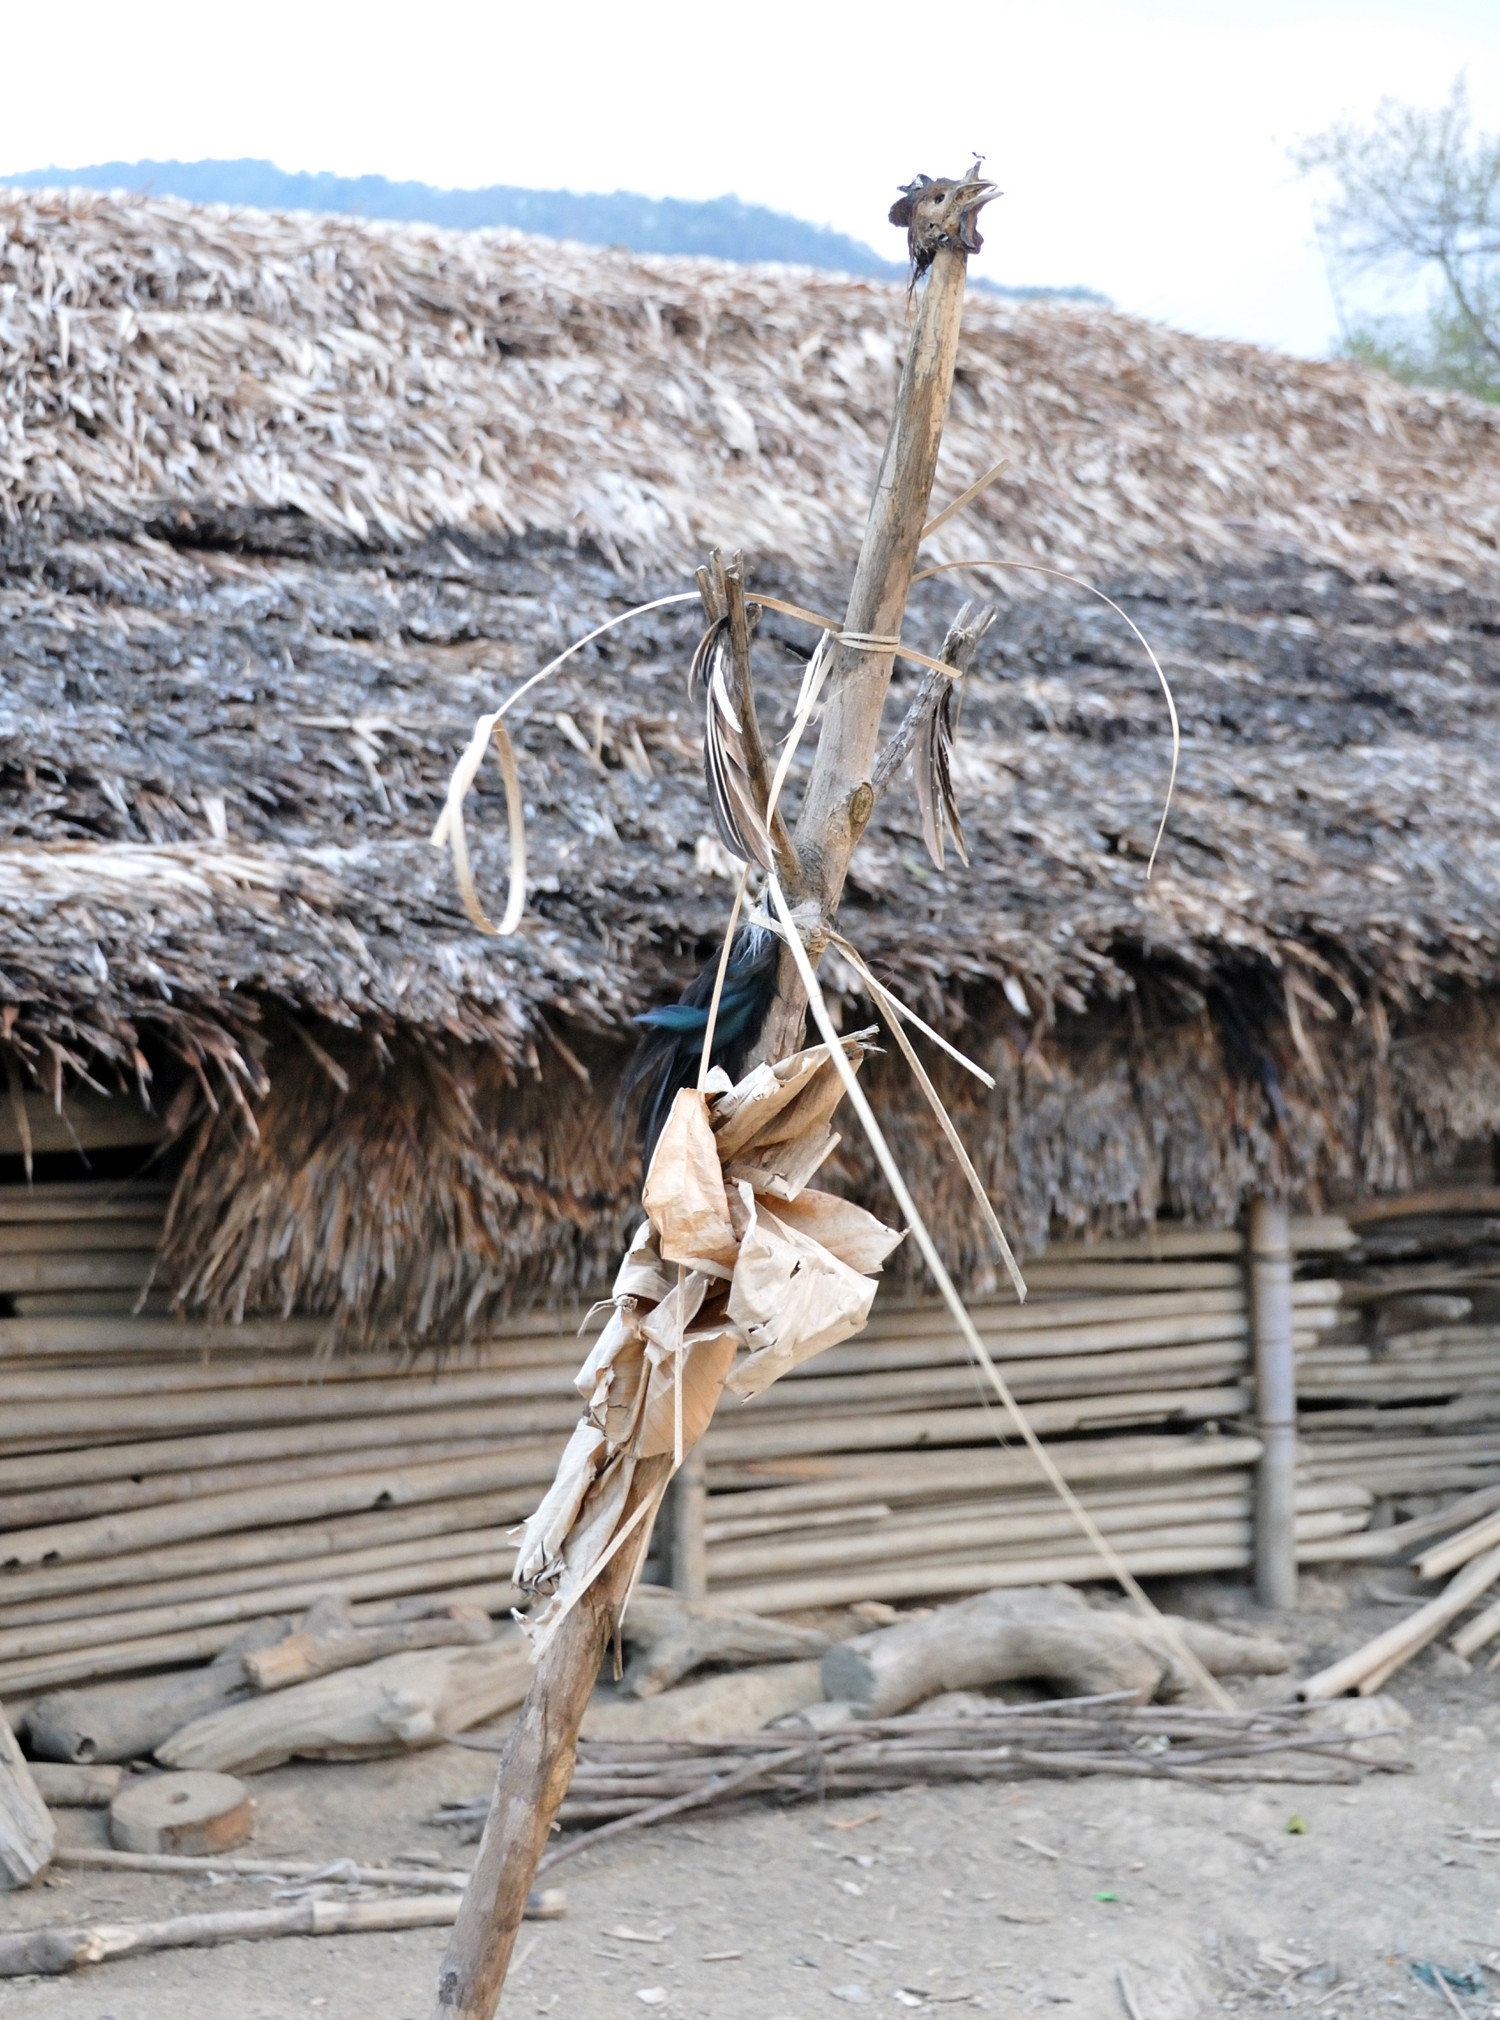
point(387, 1708)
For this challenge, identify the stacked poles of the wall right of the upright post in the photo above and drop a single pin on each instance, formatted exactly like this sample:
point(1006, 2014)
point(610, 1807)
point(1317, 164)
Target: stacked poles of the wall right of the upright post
point(1404, 1393)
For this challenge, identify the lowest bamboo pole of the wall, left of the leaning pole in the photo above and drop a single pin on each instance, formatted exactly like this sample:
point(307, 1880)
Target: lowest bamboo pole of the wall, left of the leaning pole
point(488, 1554)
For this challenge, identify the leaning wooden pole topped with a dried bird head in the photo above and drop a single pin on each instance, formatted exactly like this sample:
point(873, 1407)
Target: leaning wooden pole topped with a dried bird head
point(540, 1756)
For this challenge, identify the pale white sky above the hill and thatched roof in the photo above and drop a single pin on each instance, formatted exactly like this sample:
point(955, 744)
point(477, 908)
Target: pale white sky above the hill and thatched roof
point(1140, 142)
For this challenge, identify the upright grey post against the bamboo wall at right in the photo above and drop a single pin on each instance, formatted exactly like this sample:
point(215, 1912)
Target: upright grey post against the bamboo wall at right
point(1271, 1330)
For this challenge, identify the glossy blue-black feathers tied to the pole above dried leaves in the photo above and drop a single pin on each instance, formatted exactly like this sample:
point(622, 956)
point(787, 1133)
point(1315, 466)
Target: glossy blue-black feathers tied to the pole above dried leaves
point(671, 1047)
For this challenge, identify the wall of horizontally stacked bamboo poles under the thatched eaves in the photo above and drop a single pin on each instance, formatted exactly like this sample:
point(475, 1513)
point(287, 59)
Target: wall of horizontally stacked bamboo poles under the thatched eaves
point(165, 1484)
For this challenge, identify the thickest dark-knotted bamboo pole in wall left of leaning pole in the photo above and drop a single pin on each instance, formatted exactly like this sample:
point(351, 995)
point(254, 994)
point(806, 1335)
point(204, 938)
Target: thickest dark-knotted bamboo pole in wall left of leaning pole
point(342, 1494)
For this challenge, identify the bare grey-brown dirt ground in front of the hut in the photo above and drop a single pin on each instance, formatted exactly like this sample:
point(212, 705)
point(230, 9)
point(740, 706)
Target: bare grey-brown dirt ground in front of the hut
point(1101, 1900)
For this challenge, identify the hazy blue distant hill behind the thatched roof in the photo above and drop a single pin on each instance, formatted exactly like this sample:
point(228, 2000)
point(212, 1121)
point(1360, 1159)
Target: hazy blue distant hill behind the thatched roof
point(718, 229)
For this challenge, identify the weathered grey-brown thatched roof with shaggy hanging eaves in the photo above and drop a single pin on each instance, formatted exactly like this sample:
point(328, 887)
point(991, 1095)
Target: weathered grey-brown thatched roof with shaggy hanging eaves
point(288, 502)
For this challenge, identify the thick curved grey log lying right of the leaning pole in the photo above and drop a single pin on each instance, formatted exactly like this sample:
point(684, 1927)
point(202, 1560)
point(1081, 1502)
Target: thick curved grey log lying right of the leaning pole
point(1004, 1637)
